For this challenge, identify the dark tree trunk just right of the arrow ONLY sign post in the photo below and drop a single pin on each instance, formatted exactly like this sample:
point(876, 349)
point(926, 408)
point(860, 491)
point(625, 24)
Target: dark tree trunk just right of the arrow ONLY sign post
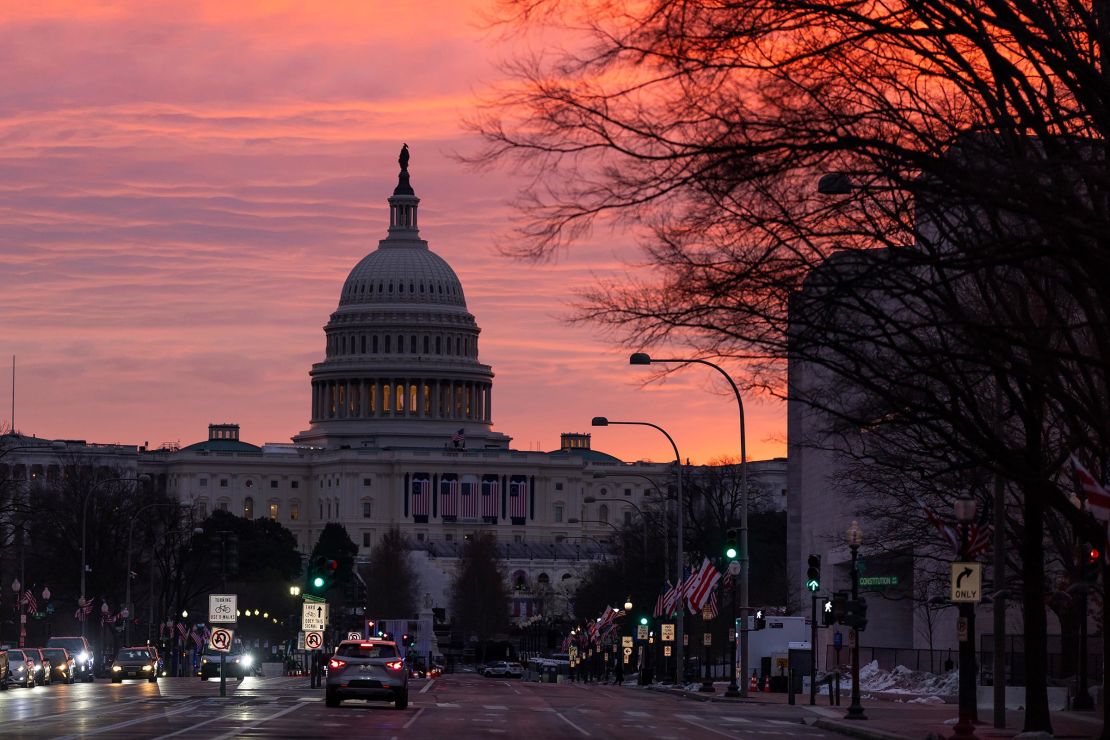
point(1033, 599)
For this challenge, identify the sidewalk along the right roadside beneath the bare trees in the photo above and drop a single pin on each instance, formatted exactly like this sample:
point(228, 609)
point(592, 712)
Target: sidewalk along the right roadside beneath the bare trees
point(903, 718)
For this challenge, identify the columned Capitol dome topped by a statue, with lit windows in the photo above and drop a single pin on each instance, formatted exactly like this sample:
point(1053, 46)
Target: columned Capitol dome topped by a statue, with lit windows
point(401, 363)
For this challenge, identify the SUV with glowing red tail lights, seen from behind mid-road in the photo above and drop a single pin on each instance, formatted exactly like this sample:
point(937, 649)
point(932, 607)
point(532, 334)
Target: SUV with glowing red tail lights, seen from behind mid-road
point(368, 670)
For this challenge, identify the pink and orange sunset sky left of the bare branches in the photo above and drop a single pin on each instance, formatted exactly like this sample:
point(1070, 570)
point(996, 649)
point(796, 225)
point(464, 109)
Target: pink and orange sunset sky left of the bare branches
point(185, 187)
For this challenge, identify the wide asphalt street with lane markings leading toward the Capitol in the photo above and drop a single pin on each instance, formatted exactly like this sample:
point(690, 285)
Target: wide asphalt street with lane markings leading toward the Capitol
point(460, 706)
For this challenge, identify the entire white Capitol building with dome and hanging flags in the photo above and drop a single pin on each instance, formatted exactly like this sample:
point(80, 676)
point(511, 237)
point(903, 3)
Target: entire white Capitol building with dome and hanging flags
point(401, 434)
